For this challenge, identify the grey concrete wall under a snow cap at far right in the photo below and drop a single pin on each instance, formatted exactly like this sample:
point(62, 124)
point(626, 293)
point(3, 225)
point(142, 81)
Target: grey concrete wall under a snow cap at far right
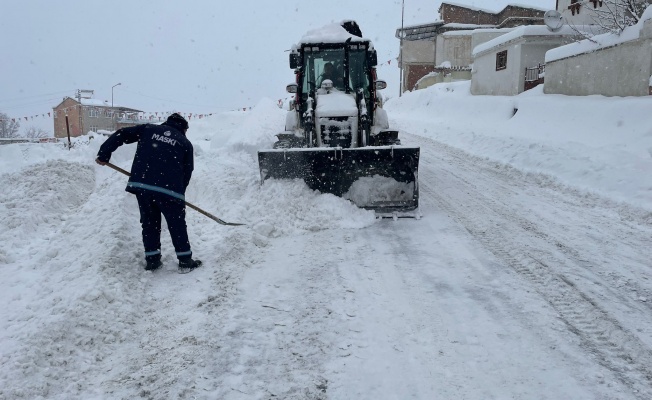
point(622, 70)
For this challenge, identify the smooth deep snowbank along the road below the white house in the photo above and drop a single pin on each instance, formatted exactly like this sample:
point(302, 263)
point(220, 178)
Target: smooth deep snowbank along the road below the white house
point(595, 143)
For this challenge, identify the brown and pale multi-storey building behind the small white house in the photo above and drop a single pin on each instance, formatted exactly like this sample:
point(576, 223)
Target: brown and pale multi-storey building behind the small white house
point(442, 49)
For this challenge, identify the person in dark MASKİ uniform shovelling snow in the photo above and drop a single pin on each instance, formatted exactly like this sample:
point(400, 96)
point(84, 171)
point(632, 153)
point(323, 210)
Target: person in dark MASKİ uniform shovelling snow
point(160, 174)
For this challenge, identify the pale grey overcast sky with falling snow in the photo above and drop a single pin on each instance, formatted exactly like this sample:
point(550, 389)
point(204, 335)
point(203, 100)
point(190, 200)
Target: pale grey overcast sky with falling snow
point(198, 56)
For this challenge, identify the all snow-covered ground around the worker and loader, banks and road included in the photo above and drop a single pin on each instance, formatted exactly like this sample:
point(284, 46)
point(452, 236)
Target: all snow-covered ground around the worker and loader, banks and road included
point(529, 275)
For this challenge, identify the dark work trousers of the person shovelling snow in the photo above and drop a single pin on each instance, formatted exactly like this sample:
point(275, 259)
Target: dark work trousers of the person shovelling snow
point(151, 206)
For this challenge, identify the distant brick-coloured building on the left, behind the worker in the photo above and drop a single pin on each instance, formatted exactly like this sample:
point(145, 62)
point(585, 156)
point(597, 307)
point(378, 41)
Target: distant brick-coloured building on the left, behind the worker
point(86, 114)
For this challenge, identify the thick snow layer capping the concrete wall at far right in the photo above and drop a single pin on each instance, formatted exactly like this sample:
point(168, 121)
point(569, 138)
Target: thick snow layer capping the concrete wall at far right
point(600, 41)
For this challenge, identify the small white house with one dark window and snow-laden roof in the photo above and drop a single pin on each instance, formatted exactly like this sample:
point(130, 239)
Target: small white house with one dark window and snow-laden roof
point(499, 65)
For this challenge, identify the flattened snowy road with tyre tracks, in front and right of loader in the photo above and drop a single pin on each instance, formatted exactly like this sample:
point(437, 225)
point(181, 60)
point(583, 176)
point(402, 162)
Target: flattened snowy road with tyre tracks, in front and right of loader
point(511, 286)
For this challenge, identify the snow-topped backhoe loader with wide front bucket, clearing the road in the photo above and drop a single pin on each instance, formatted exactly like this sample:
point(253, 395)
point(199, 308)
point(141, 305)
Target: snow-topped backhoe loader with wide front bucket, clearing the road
point(337, 137)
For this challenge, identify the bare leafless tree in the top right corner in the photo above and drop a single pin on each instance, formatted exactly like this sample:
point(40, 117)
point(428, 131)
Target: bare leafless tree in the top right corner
point(616, 15)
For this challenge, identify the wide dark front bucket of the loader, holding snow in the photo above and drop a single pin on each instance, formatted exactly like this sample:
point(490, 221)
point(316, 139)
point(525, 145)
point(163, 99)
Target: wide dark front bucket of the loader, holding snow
point(384, 178)
